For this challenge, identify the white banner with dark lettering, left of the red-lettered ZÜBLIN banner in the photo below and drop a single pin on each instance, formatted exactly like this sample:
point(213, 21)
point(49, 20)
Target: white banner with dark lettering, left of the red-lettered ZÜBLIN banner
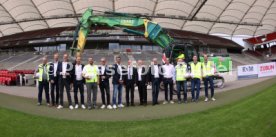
point(248, 71)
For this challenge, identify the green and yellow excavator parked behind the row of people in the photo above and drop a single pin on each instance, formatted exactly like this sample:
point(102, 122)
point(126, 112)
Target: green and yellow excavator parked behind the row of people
point(152, 32)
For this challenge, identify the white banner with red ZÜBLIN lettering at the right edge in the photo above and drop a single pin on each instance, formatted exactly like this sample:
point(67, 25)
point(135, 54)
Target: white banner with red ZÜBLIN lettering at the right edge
point(267, 69)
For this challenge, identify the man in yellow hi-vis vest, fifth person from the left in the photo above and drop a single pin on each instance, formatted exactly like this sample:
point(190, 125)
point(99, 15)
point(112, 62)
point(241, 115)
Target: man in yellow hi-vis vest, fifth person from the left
point(91, 74)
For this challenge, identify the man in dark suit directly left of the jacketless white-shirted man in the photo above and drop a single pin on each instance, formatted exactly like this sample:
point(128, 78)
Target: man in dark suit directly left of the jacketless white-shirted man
point(155, 76)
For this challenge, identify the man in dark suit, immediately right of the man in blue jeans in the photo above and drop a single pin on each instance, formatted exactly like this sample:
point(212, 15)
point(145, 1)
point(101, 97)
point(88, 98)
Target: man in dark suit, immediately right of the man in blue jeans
point(130, 80)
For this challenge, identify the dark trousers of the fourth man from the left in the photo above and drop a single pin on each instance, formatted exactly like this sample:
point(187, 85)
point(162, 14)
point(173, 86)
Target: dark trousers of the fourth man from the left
point(78, 86)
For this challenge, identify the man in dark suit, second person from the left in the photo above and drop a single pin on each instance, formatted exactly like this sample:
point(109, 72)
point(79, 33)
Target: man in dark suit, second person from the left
point(54, 76)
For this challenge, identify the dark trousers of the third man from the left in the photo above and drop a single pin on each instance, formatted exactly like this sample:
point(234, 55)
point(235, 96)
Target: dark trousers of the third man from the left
point(64, 83)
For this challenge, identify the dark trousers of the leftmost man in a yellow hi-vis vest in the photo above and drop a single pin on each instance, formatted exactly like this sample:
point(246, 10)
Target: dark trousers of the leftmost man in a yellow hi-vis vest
point(43, 85)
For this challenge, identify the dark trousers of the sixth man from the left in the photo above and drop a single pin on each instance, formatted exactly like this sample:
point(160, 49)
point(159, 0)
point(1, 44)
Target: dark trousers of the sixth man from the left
point(105, 91)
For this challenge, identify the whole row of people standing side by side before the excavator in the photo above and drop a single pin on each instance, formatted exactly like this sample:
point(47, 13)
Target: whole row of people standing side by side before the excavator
point(62, 74)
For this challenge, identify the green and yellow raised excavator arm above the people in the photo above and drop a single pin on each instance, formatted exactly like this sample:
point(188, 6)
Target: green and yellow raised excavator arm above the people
point(152, 31)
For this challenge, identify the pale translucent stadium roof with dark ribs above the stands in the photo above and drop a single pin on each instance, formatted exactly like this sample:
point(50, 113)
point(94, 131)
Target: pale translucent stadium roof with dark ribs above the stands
point(231, 17)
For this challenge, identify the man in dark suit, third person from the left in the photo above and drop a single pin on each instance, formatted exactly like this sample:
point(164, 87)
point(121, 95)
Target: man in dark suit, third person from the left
point(65, 70)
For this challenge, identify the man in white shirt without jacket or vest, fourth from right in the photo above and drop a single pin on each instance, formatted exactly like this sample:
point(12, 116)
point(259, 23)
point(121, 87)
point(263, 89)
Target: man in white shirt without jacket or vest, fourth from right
point(168, 80)
